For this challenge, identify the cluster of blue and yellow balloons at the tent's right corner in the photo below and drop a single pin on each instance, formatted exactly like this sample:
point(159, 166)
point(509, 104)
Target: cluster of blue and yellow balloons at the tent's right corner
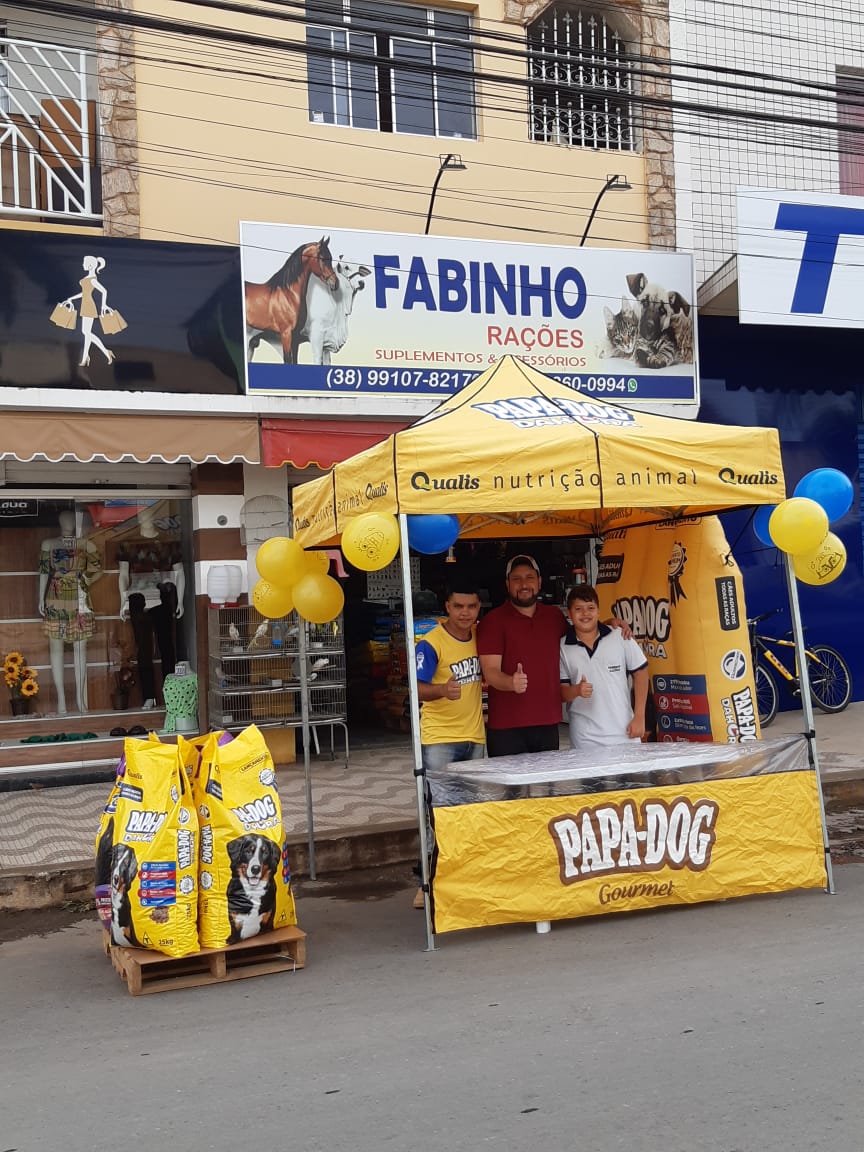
point(800, 526)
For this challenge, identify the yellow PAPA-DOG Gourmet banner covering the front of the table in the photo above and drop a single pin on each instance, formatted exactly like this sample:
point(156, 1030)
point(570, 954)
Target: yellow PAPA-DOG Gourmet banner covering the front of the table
point(557, 858)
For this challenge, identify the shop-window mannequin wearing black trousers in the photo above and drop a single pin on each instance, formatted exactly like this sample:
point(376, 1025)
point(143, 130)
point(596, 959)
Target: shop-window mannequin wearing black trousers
point(153, 583)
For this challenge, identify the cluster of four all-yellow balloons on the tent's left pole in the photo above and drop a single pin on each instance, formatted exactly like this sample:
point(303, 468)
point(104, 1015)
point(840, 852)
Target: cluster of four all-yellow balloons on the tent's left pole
point(293, 579)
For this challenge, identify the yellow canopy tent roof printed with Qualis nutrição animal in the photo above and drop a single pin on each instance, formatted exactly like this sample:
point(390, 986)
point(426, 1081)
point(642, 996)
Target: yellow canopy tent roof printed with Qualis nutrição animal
point(516, 453)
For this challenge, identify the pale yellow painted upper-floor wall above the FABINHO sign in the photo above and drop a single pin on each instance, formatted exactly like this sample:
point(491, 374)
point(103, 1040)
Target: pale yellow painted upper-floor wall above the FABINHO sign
point(230, 139)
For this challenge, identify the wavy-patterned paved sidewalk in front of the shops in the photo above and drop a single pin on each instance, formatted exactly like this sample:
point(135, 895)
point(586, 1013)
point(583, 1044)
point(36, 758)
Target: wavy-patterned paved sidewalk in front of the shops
point(50, 829)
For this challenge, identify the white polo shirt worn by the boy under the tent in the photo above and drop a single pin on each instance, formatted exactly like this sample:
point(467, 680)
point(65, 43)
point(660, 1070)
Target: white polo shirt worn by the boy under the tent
point(602, 718)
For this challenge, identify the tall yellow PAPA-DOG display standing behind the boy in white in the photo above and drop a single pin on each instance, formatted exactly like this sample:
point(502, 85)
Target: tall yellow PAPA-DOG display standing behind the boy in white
point(679, 588)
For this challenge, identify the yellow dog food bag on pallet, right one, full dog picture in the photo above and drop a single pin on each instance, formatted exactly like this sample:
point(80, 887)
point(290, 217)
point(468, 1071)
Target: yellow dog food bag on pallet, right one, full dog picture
point(245, 880)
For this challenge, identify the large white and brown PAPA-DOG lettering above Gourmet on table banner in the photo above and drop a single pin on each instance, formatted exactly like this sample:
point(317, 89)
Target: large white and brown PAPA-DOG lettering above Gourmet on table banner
point(623, 839)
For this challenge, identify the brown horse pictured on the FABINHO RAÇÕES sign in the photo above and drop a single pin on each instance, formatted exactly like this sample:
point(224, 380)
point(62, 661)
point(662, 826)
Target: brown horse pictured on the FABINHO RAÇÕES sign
point(277, 310)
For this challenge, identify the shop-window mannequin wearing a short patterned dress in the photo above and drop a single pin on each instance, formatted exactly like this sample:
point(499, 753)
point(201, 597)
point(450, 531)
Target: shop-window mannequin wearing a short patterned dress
point(69, 567)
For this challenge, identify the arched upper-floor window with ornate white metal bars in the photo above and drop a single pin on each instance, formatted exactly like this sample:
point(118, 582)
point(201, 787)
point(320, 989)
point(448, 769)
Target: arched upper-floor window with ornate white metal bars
point(582, 81)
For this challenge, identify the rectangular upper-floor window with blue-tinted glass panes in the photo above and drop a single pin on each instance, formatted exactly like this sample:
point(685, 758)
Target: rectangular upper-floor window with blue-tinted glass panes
point(391, 67)
